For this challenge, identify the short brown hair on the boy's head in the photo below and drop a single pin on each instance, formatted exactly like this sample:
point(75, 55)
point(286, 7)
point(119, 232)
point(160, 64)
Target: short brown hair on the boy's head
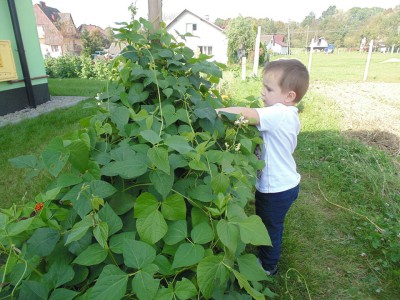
point(294, 76)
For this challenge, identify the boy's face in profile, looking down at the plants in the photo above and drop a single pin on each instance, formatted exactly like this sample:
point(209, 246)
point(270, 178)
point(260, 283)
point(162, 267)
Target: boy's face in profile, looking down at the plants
point(271, 91)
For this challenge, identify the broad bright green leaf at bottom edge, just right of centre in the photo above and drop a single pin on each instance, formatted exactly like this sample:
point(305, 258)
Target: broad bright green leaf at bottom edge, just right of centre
point(211, 273)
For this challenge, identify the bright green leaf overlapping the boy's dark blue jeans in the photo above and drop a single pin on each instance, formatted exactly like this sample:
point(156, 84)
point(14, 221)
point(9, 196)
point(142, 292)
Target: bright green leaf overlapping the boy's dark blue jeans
point(253, 231)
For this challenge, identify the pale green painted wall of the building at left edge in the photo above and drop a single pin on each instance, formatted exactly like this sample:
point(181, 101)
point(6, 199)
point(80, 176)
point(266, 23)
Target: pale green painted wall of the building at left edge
point(30, 39)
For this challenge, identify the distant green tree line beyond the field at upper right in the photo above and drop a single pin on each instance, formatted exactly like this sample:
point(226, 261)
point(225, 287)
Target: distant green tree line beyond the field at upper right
point(341, 28)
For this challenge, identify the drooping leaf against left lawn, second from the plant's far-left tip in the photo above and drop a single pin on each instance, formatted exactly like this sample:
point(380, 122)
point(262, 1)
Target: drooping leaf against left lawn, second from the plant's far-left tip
point(55, 156)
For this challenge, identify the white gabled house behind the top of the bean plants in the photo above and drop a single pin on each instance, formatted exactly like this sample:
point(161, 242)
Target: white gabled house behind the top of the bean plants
point(208, 38)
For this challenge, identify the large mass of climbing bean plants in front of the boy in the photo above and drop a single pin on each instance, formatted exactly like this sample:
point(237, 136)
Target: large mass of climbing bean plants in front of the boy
point(148, 198)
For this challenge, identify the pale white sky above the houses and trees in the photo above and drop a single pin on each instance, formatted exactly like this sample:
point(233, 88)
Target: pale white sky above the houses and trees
point(105, 13)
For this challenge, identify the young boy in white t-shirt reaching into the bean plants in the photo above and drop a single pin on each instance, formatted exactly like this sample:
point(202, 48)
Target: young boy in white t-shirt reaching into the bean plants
point(285, 82)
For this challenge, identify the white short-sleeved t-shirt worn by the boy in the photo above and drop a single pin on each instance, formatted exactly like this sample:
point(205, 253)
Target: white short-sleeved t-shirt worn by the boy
point(279, 127)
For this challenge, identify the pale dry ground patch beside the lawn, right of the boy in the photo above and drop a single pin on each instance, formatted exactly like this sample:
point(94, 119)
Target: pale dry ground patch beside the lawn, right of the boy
point(370, 112)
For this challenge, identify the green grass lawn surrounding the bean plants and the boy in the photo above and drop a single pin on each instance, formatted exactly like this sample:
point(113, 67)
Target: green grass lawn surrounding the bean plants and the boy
point(331, 250)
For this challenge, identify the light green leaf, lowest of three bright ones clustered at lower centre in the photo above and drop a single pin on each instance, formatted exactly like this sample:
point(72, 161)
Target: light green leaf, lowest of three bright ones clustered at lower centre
point(152, 228)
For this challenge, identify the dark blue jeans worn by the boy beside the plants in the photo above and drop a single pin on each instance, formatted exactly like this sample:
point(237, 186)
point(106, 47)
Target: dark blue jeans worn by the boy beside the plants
point(272, 209)
